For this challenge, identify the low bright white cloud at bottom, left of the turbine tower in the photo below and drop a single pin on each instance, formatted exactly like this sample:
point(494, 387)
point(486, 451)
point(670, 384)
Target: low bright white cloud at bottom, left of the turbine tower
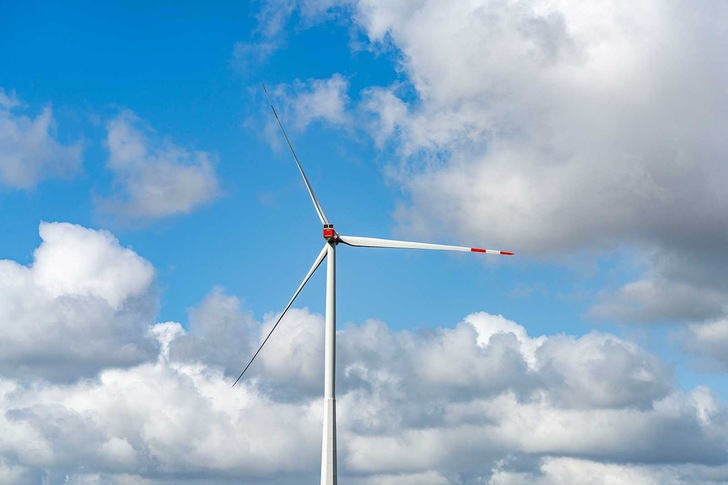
point(153, 421)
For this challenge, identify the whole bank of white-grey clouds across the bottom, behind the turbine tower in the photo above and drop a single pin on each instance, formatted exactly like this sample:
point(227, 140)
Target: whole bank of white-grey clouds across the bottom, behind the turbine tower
point(480, 401)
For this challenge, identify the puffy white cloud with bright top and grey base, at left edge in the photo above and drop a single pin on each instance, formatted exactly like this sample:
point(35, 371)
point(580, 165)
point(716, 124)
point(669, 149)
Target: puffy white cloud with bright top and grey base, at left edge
point(82, 305)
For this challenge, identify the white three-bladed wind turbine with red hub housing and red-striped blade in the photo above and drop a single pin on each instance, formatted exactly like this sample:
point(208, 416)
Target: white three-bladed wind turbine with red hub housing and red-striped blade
point(328, 445)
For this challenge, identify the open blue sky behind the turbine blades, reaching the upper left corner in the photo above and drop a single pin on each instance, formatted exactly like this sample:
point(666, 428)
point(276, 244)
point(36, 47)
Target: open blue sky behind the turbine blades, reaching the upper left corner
point(143, 60)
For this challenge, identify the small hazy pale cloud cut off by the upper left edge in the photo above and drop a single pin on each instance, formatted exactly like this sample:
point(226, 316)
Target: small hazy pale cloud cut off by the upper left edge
point(29, 150)
